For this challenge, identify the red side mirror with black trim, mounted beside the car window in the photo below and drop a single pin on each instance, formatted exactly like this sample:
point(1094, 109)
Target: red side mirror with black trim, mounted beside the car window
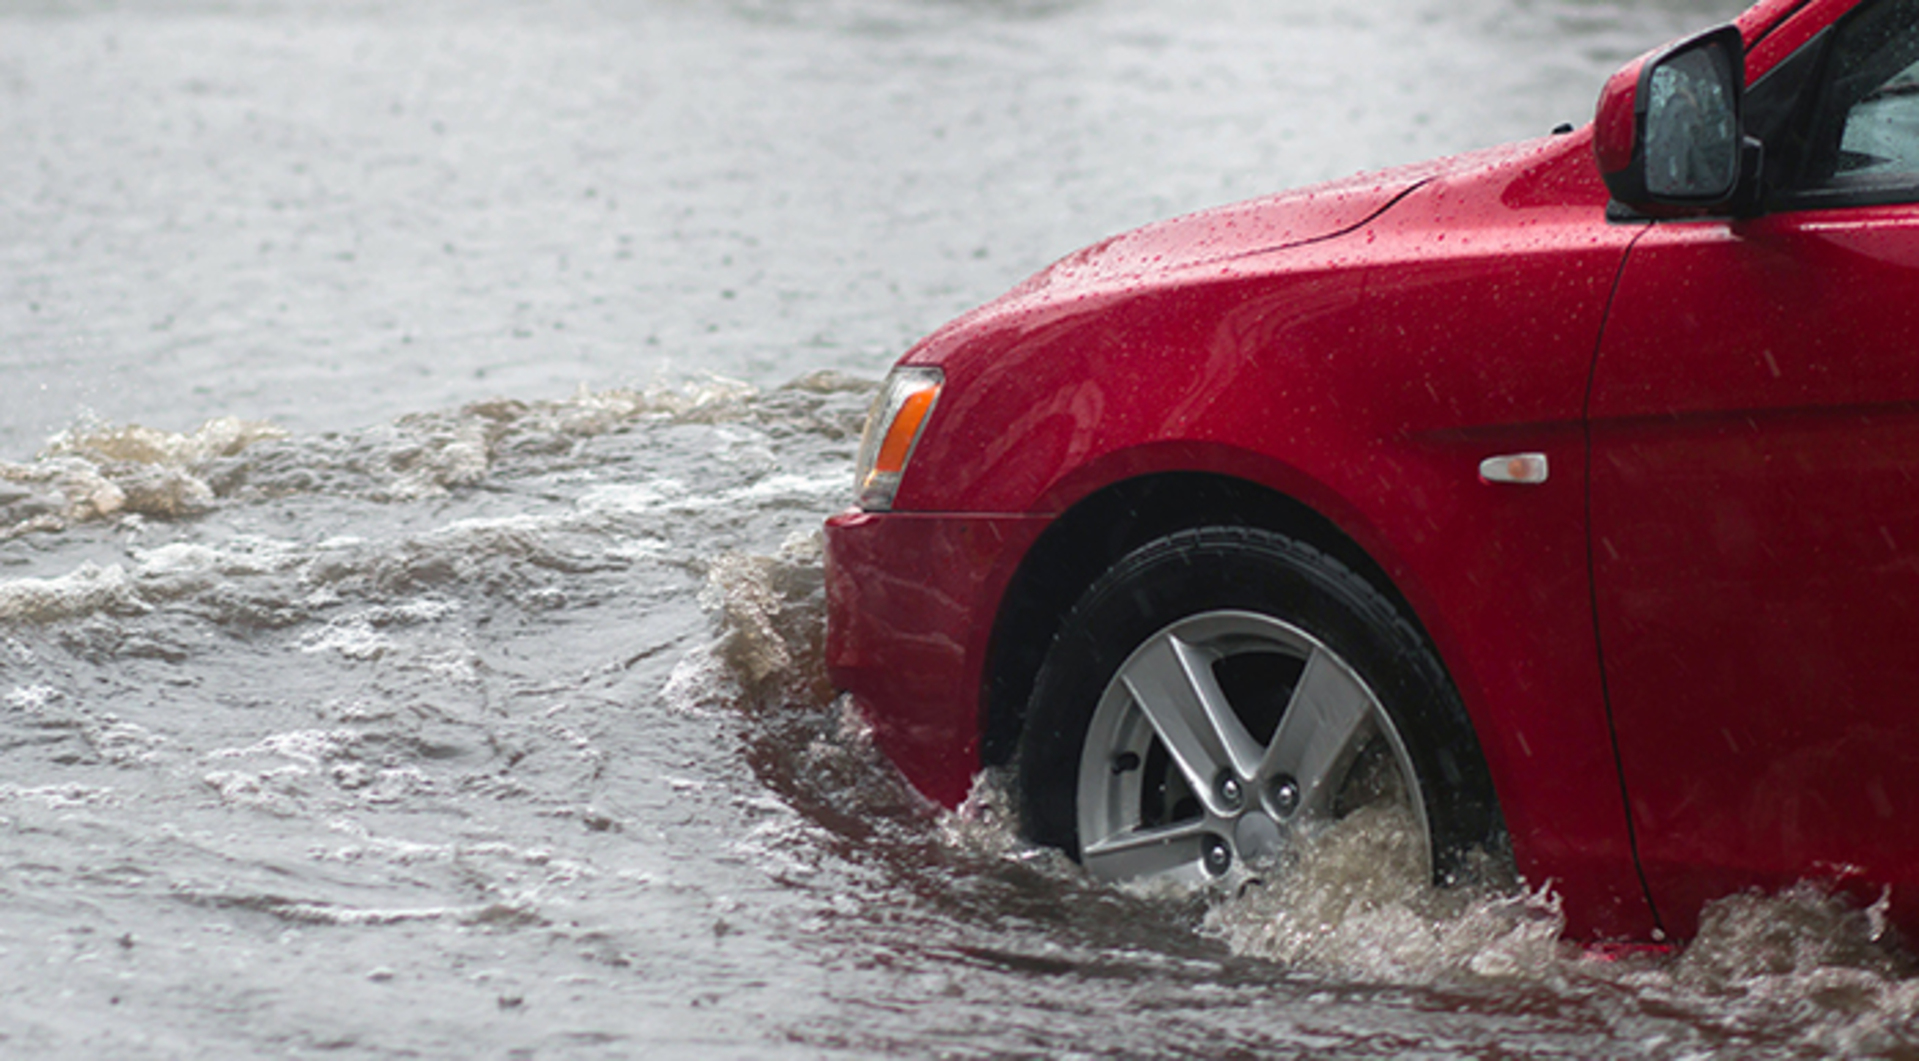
point(1669, 131)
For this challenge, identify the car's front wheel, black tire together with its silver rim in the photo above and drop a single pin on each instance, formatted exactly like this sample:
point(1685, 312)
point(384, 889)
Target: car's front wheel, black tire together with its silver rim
point(1206, 621)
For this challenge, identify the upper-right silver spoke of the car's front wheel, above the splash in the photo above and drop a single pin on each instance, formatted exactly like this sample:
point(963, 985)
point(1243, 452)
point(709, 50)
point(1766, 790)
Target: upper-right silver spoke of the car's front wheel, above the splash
point(1319, 732)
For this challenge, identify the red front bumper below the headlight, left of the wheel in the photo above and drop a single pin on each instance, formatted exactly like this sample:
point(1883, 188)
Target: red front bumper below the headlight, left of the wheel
point(911, 611)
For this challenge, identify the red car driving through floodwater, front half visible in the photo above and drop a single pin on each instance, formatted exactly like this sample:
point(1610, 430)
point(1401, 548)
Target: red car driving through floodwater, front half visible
point(1567, 492)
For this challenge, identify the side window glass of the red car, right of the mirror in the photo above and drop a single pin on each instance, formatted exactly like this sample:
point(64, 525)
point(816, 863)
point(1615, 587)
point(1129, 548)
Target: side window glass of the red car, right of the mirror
point(1866, 126)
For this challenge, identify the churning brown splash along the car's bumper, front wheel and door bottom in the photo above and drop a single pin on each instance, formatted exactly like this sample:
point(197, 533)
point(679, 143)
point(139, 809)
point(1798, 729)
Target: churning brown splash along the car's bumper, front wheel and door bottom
point(1354, 905)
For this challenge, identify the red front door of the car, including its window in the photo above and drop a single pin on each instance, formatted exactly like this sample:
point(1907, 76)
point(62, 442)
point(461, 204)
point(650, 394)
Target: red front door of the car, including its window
point(1755, 500)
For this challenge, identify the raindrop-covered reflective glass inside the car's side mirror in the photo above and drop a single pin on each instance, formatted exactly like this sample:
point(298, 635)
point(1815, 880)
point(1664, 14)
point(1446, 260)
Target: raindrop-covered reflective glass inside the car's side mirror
point(1694, 126)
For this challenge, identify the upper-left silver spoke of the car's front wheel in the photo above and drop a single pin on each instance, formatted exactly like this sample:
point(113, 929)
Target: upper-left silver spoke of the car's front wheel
point(1173, 686)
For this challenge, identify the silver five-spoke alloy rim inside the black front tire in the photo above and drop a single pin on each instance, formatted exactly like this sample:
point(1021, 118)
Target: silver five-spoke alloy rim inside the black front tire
point(1193, 766)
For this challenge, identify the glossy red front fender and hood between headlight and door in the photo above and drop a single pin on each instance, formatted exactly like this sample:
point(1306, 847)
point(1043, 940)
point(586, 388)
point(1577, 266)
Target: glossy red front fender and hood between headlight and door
point(1365, 377)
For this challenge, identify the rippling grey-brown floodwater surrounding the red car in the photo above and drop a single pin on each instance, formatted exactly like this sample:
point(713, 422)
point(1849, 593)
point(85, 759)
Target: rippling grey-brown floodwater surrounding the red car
point(415, 425)
